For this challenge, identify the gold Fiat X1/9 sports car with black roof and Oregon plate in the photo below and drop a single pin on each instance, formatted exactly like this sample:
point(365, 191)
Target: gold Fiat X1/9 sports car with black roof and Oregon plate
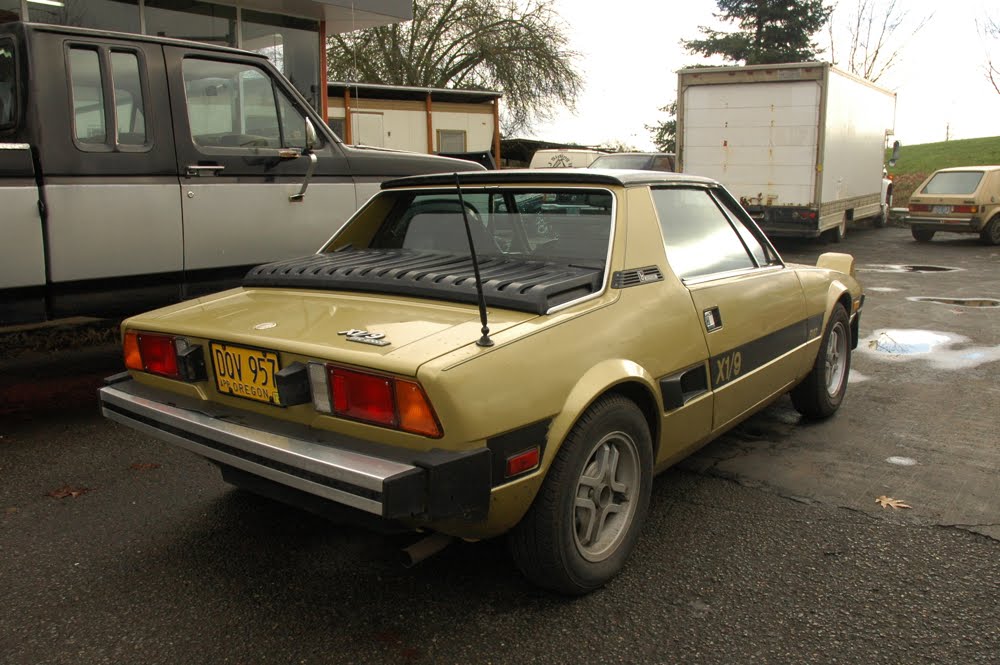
point(507, 352)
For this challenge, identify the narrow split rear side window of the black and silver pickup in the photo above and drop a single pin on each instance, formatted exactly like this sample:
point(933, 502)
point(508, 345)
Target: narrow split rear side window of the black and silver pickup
point(89, 70)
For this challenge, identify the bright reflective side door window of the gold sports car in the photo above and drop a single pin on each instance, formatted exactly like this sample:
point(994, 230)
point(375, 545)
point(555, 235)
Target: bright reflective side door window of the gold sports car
point(698, 236)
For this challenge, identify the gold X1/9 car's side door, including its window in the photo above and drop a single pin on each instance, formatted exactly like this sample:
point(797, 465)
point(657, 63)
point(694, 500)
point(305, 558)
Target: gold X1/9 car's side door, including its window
point(752, 306)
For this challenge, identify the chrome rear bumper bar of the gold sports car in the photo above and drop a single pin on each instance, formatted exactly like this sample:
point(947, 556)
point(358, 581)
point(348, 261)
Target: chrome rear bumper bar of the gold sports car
point(157, 419)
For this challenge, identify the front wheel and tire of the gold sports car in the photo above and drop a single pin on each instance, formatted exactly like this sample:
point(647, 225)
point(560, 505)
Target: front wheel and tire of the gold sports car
point(821, 392)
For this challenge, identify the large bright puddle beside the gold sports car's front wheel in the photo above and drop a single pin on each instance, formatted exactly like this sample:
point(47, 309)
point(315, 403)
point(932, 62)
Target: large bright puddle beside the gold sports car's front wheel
point(934, 347)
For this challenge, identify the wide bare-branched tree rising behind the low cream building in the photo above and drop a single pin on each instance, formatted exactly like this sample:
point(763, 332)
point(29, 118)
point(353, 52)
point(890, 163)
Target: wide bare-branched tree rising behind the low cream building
point(516, 46)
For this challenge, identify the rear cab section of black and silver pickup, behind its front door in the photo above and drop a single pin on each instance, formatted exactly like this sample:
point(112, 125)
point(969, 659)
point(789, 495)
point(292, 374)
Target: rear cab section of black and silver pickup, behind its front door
point(109, 187)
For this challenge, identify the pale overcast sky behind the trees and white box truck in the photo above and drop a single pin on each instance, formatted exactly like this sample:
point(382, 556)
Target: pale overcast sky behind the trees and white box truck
point(630, 51)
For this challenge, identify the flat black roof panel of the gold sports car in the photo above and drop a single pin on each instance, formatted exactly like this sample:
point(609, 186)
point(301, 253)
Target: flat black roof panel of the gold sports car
point(569, 176)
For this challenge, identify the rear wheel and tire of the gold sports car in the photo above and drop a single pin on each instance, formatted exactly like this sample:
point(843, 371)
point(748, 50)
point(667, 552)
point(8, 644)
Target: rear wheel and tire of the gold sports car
point(585, 519)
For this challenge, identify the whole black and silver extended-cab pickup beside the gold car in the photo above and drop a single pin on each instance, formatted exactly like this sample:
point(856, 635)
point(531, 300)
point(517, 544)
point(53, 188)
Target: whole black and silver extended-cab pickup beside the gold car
point(137, 170)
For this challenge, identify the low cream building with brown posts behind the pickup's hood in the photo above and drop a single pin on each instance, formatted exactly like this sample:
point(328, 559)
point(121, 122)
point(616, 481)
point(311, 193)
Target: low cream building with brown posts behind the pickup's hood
point(431, 120)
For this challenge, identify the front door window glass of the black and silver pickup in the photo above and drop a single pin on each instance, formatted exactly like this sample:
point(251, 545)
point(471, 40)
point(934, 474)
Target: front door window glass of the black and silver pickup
point(233, 105)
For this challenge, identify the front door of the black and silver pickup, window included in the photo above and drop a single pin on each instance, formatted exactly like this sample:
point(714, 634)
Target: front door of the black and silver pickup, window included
point(240, 132)
